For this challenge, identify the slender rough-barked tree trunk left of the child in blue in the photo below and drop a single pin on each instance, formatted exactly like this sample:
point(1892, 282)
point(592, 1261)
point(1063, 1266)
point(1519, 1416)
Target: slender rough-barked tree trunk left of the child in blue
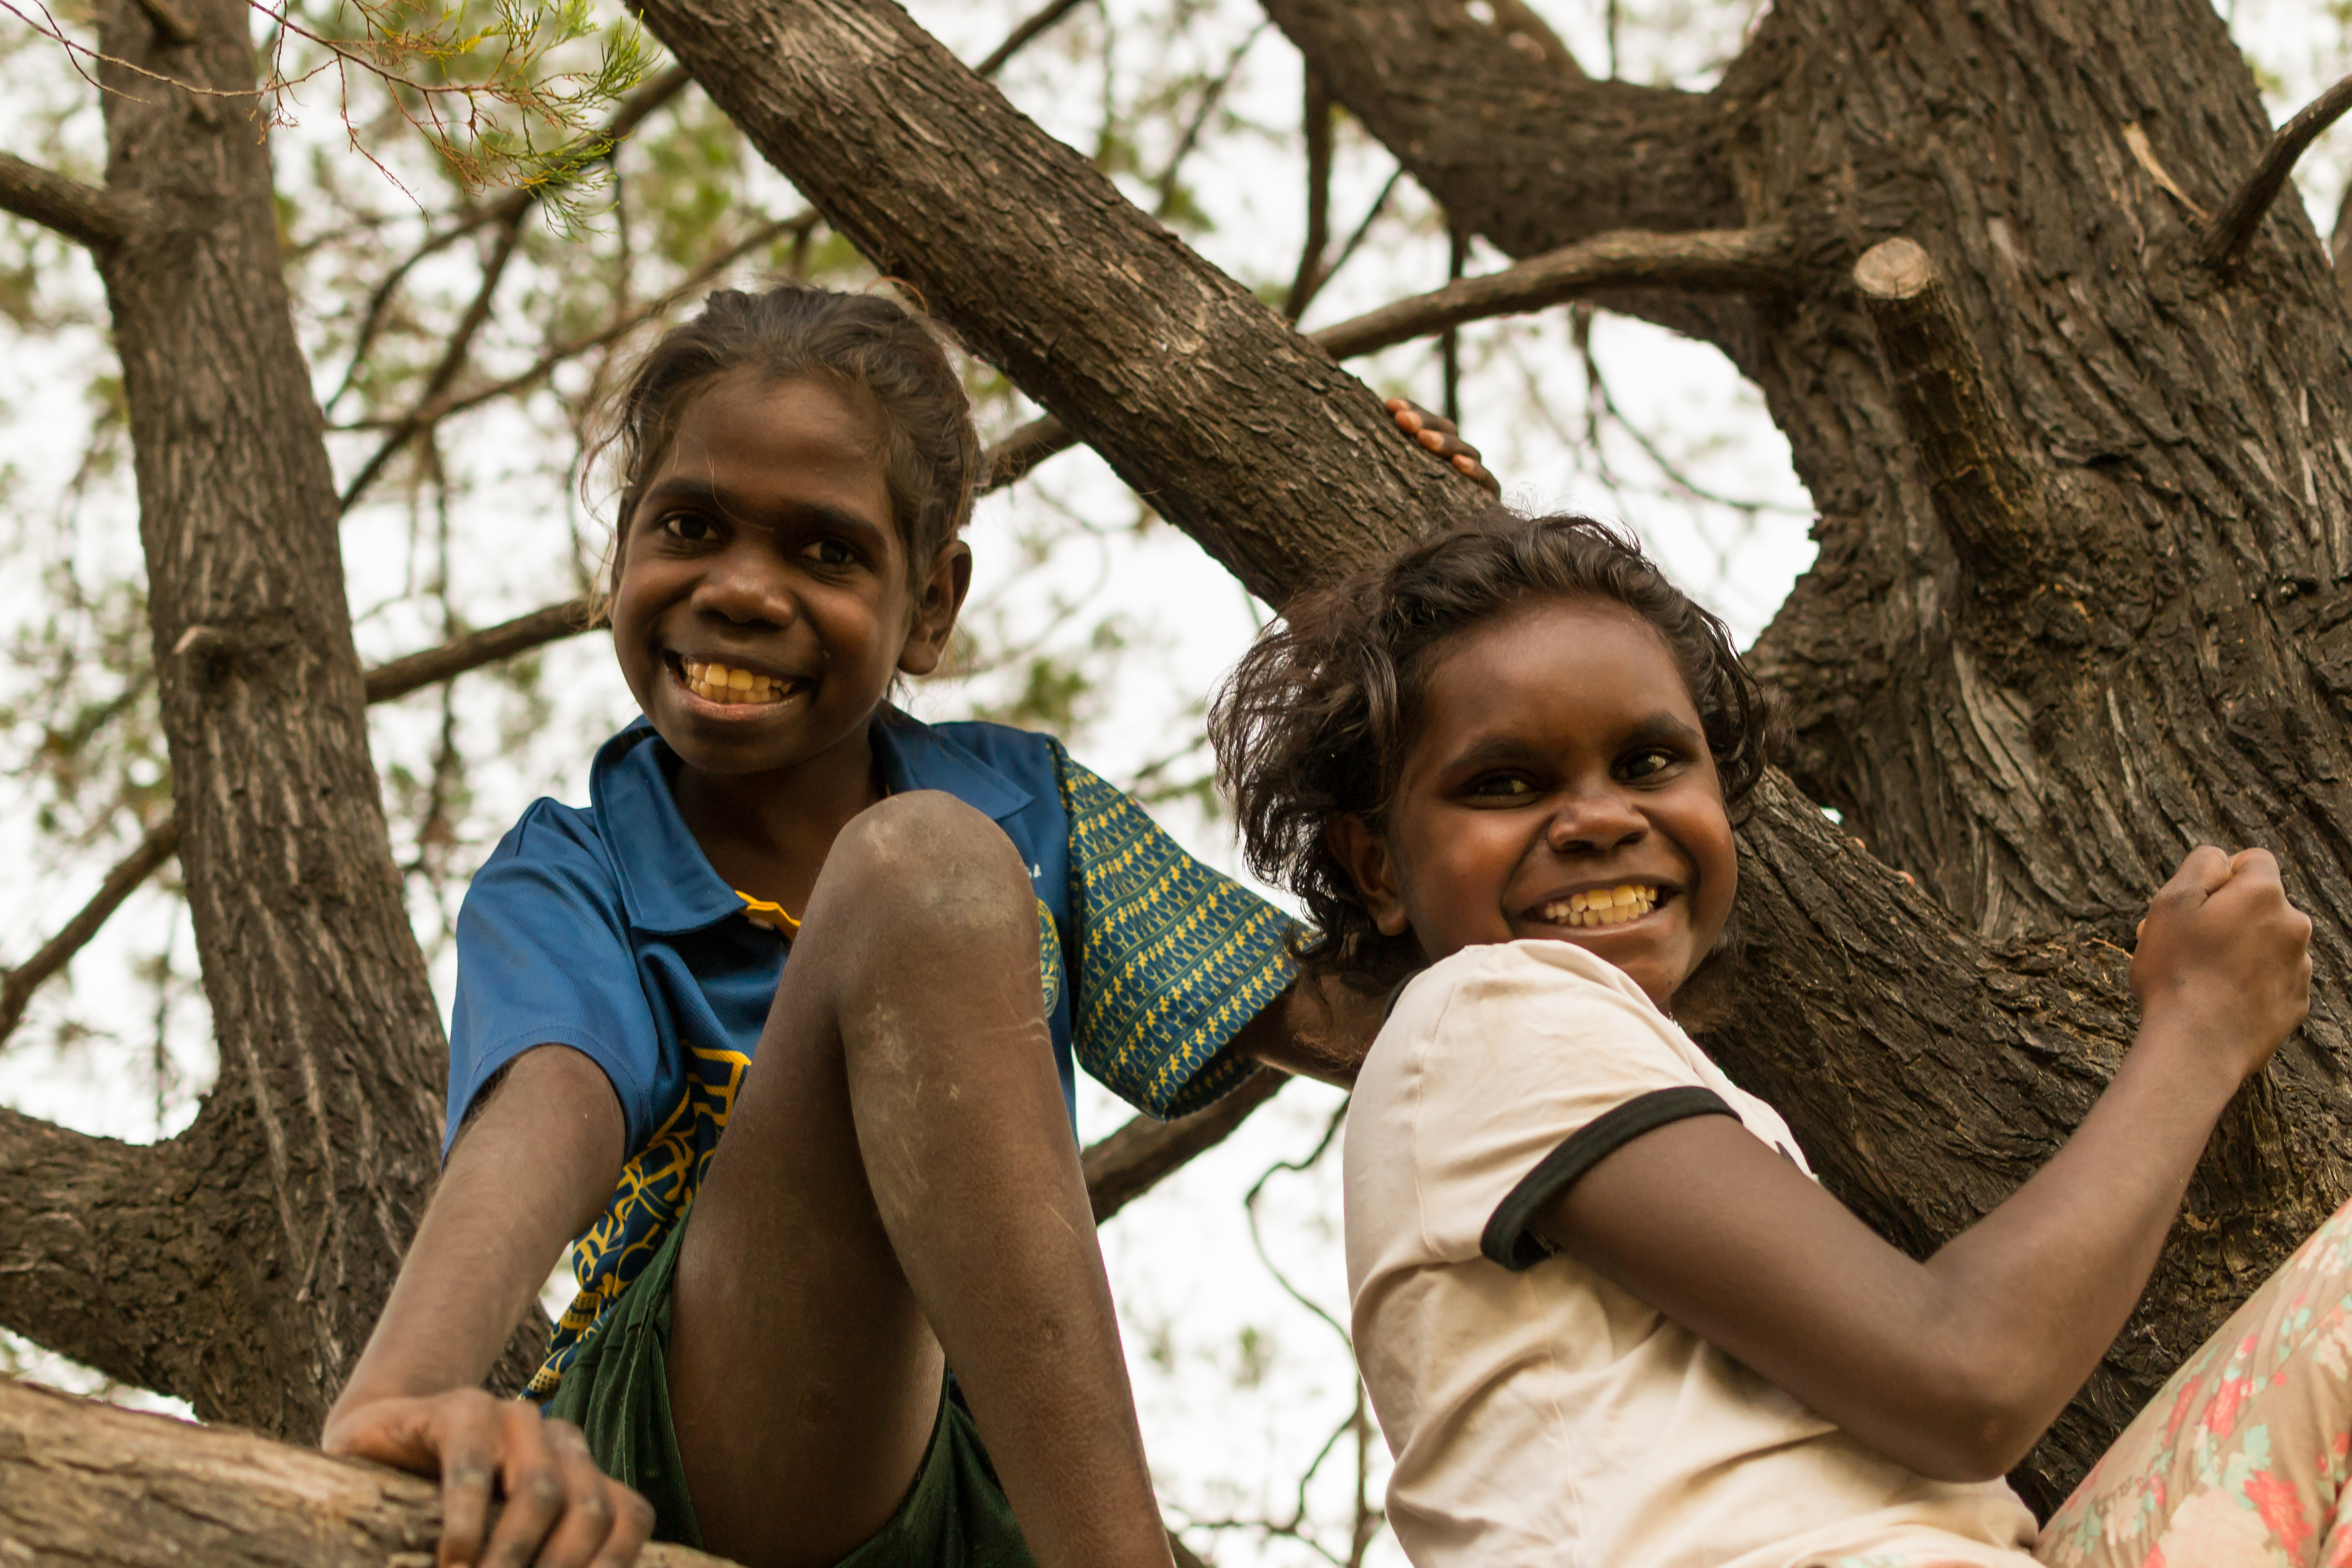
point(241, 1264)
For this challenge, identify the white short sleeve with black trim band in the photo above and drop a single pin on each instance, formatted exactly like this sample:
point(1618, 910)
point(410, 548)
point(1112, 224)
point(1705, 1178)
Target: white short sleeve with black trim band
point(1530, 1073)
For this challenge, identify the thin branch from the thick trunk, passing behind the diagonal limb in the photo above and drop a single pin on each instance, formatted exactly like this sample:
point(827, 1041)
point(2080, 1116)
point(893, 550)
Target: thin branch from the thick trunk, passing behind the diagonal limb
point(1697, 262)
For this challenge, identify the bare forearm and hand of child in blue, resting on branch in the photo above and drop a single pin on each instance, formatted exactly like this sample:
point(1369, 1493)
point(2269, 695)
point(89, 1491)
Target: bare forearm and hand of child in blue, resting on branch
point(528, 1174)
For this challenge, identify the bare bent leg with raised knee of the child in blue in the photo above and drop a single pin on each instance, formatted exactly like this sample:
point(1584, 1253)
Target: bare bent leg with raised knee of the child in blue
point(900, 1177)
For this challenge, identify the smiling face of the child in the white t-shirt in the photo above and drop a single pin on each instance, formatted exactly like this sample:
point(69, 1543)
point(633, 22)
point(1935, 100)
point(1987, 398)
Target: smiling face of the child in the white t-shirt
point(1561, 789)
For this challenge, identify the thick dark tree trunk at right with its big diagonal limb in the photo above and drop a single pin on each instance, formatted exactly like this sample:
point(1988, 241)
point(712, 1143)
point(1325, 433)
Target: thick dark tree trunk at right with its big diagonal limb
point(2038, 737)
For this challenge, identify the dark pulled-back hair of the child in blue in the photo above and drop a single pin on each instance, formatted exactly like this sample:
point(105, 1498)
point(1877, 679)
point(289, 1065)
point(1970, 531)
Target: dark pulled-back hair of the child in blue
point(853, 342)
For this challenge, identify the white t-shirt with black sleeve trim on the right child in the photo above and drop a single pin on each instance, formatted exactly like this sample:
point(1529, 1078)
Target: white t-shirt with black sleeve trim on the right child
point(1539, 1414)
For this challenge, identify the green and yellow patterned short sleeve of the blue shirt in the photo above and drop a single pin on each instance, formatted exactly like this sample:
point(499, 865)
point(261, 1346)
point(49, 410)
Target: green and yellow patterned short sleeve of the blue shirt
point(1172, 958)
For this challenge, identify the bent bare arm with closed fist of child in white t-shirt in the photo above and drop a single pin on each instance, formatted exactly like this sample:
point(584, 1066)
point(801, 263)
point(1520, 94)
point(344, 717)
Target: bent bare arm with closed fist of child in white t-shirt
point(1958, 1365)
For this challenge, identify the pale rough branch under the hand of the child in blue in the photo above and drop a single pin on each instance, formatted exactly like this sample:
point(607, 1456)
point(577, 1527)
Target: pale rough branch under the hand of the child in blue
point(109, 1489)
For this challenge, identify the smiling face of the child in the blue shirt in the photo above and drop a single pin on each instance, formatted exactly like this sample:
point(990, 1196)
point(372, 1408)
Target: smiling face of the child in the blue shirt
point(766, 601)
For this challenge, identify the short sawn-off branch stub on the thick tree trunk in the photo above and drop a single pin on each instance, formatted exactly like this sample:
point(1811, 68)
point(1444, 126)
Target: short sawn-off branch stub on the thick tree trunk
point(1986, 495)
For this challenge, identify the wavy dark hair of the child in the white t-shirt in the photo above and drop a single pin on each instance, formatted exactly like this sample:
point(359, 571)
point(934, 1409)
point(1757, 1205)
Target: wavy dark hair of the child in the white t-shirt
point(1316, 721)
